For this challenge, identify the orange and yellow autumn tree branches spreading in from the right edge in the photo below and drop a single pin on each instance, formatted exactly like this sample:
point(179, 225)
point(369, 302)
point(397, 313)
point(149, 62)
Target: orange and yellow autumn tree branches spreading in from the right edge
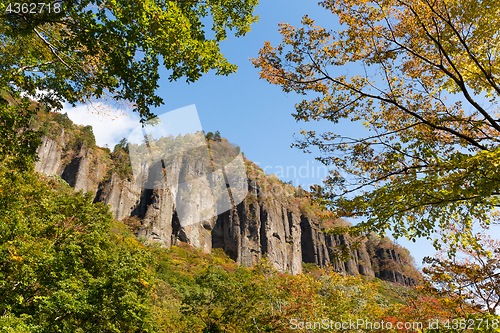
point(421, 78)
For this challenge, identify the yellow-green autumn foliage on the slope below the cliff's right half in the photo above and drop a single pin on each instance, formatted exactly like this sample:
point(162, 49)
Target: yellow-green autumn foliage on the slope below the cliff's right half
point(215, 295)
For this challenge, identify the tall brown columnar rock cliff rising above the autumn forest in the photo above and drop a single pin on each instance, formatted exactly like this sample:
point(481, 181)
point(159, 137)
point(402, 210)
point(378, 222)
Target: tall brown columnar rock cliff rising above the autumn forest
point(267, 223)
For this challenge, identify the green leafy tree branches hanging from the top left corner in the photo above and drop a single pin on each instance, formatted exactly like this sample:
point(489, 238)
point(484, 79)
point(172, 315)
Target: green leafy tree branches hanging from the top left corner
point(76, 50)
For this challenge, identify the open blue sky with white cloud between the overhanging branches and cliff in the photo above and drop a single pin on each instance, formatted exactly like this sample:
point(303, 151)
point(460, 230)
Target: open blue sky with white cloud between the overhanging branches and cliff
point(246, 110)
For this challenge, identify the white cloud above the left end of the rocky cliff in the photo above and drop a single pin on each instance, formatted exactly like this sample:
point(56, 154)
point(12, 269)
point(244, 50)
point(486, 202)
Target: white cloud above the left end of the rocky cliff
point(109, 125)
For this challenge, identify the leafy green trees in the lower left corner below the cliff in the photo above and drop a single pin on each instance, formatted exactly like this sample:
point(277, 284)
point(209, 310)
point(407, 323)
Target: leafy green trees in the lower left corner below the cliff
point(61, 267)
